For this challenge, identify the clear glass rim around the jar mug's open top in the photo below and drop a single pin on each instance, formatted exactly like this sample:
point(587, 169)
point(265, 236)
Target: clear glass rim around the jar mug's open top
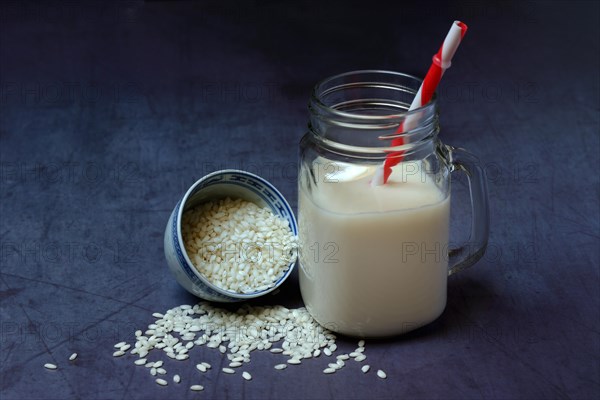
point(318, 90)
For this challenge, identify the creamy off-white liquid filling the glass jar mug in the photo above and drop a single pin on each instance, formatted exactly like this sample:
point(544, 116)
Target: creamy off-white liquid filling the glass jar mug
point(373, 260)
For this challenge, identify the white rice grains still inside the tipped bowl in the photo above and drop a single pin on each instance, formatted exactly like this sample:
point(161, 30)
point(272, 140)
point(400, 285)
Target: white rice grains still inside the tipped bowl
point(237, 245)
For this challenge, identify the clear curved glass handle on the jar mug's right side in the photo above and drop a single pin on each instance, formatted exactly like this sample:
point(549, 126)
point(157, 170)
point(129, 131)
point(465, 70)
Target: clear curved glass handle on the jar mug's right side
point(471, 251)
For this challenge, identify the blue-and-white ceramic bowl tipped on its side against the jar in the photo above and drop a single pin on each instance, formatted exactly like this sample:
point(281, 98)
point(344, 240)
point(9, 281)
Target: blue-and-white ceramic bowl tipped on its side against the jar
point(217, 185)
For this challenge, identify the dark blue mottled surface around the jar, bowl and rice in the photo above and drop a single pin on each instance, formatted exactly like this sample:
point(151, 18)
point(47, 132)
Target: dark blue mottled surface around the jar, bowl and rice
point(109, 111)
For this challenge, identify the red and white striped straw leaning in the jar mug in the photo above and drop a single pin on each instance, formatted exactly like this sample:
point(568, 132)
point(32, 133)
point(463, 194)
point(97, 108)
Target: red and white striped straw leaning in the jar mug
point(441, 62)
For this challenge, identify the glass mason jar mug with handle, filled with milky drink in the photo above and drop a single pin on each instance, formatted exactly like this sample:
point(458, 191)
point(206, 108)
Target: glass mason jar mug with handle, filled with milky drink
point(374, 258)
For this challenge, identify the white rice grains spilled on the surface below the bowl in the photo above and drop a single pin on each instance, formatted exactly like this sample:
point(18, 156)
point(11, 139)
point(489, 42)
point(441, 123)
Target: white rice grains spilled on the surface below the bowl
point(176, 331)
